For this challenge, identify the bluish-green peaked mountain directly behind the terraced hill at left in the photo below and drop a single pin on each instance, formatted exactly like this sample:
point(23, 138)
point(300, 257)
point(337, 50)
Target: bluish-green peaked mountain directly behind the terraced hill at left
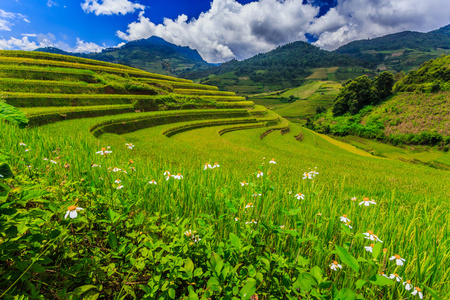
point(152, 55)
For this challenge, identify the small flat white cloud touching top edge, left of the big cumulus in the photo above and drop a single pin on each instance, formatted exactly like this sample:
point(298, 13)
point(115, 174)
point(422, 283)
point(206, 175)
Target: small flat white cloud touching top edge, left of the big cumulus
point(110, 7)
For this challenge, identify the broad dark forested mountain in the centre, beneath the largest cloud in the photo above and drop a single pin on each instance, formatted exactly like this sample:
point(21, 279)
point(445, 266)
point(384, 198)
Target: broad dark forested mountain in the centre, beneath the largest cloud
point(283, 67)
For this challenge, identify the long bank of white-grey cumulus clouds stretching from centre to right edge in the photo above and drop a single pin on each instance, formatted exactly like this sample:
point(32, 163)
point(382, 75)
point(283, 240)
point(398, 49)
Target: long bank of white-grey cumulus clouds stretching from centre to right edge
point(231, 30)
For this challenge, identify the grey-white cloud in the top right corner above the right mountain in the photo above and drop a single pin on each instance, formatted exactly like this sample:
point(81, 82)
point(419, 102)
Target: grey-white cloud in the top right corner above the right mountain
point(361, 19)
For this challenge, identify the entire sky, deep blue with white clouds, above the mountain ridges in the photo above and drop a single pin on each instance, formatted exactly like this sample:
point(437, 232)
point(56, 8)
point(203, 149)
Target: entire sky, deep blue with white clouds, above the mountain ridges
point(219, 29)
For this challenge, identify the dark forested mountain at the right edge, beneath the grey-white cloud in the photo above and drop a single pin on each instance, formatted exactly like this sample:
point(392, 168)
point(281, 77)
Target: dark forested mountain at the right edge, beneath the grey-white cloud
point(401, 51)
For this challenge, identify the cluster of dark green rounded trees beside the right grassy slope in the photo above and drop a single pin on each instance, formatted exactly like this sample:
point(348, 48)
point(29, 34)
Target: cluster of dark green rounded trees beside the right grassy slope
point(362, 91)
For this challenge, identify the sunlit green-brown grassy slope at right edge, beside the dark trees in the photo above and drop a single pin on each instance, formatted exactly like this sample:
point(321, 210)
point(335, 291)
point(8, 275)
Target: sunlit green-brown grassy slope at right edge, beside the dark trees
point(417, 114)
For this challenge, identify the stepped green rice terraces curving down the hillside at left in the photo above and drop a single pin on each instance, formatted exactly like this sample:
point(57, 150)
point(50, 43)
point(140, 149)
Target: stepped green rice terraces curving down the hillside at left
point(51, 88)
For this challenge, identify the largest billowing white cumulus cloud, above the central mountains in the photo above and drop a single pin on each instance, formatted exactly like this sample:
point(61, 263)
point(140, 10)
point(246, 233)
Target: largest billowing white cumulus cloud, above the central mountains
point(231, 30)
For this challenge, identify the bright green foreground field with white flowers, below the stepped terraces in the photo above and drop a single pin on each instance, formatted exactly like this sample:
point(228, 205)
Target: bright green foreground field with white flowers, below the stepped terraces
point(277, 236)
